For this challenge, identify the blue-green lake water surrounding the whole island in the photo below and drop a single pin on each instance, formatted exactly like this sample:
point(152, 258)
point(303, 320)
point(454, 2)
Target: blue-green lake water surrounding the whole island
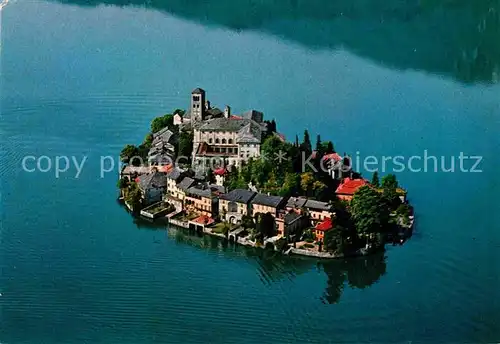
point(378, 78)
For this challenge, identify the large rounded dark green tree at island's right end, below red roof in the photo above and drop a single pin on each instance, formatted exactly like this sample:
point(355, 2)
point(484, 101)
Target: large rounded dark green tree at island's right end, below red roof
point(369, 212)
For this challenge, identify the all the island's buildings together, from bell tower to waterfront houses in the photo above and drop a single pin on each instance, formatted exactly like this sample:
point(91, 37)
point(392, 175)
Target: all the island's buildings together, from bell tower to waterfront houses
point(222, 139)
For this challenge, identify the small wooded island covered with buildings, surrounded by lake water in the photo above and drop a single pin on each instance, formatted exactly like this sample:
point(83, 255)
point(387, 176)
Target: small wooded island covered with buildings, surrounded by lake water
point(235, 176)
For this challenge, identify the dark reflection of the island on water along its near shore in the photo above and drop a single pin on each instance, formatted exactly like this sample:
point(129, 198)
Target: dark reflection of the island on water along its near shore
point(359, 273)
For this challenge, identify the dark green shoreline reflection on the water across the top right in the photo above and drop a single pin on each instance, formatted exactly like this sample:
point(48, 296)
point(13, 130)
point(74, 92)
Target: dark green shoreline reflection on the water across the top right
point(457, 38)
